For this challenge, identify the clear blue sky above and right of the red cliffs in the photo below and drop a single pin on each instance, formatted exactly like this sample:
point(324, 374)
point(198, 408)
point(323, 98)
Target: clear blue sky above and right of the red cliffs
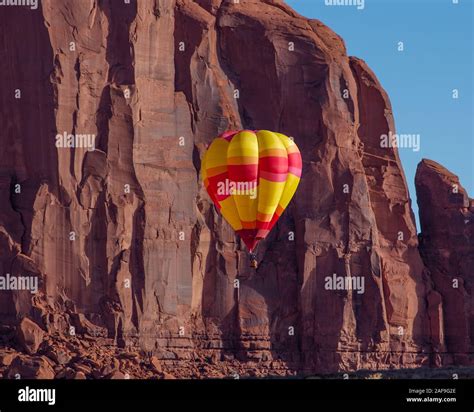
point(438, 57)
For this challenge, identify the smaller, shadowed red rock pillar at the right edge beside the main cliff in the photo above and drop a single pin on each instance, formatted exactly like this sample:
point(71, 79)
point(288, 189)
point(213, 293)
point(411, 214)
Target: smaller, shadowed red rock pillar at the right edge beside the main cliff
point(447, 247)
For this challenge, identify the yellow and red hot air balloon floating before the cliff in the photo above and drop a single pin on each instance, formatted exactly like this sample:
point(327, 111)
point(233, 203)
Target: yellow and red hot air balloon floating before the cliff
point(251, 177)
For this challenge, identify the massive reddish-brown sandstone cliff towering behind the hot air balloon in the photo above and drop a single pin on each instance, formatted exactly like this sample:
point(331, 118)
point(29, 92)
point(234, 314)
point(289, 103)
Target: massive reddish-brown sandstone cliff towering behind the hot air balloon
point(128, 247)
